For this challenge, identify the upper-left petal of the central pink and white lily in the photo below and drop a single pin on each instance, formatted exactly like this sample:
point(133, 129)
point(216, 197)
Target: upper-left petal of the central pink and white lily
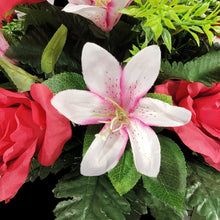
point(101, 71)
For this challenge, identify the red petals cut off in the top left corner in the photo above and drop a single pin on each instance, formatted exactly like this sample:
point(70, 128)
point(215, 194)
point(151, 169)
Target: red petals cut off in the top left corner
point(8, 5)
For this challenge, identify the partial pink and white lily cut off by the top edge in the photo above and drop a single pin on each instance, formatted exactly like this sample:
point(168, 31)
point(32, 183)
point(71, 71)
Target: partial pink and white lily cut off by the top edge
point(104, 13)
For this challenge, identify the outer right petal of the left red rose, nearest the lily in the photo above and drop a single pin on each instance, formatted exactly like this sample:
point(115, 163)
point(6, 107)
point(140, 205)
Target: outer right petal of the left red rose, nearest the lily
point(58, 129)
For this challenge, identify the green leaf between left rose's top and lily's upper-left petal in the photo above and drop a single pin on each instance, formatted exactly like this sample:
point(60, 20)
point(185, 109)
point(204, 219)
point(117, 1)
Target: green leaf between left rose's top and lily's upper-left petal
point(65, 81)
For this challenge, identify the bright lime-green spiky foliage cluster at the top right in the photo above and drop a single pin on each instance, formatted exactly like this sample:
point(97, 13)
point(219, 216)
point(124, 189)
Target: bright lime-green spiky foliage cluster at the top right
point(161, 19)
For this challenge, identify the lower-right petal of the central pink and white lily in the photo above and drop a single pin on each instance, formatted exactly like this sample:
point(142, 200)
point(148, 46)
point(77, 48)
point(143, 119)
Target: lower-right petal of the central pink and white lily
point(146, 148)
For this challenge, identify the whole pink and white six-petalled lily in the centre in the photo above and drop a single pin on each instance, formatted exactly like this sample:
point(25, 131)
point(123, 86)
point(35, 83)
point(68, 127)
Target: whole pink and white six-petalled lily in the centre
point(116, 100)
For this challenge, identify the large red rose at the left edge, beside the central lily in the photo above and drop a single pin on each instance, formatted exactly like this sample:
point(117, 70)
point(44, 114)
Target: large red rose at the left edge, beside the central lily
point(28, 126)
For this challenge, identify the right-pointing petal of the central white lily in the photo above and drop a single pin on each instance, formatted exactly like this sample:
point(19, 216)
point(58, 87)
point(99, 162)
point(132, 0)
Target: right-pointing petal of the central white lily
point(158, 113)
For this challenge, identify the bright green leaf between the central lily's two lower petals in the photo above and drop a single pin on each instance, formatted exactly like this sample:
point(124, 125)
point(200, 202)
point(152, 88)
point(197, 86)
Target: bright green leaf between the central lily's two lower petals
point(124, 176)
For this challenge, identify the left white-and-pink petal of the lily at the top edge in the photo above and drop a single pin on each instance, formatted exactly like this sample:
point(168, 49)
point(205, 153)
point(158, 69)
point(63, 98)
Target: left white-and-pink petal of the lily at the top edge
point(94, 13)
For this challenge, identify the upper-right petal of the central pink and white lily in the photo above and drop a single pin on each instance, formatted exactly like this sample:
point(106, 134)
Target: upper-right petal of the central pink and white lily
point(139, 75)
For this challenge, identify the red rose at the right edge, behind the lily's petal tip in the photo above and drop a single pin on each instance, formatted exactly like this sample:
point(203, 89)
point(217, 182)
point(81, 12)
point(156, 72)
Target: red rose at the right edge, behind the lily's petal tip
point(202, 133)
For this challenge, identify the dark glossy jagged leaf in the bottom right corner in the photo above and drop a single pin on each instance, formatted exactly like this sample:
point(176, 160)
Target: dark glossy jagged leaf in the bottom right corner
point(203, 190)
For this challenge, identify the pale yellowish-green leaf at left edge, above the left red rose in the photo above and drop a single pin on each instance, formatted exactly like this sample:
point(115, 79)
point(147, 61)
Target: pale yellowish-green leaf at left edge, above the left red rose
point(21, 79)
